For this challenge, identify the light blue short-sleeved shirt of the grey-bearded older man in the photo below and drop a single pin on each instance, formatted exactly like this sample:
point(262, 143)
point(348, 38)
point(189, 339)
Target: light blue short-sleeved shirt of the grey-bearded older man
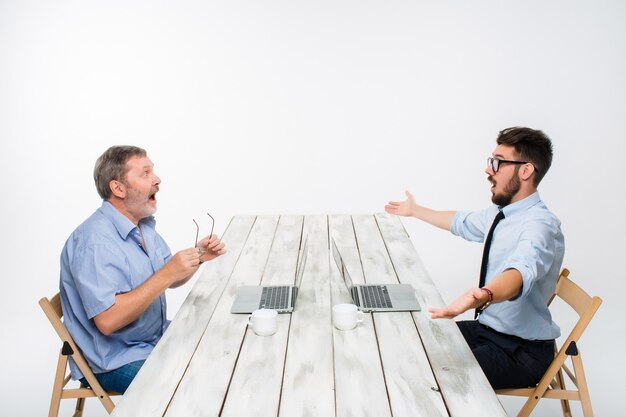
point(104, 257)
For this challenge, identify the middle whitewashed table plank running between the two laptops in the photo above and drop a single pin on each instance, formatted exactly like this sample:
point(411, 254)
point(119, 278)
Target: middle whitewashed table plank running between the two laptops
point(308, 385)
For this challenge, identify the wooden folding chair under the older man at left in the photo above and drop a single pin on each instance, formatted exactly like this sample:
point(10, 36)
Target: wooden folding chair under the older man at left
point(52, 309)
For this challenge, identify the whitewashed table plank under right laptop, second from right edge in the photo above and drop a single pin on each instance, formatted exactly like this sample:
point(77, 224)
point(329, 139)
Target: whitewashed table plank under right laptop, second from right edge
point(411, 385)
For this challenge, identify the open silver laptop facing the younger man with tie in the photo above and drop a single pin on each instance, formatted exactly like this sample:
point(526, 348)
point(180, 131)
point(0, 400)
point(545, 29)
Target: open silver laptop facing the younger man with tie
point(377, 297)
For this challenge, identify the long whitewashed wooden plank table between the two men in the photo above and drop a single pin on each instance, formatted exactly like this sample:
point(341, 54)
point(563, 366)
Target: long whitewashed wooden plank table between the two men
point(209, 363)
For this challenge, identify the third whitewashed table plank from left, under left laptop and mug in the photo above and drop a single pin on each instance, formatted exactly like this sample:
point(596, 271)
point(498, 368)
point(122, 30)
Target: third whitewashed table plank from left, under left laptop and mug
point(257, 379)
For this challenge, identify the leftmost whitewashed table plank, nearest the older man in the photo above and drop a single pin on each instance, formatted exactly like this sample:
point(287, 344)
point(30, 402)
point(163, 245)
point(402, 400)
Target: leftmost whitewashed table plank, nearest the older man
point(156, 382)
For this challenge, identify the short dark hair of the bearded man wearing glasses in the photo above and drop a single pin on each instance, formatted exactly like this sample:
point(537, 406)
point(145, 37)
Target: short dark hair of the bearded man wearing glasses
point(531, 145)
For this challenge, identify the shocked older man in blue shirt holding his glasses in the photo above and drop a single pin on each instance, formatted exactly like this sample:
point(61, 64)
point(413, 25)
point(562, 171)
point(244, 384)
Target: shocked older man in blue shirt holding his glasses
point(115, 269)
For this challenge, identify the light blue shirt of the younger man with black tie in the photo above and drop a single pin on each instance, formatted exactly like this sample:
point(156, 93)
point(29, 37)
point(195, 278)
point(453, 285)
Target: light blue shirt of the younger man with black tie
point(528, 239)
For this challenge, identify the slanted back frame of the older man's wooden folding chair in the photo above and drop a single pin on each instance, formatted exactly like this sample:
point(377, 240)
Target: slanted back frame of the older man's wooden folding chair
point(54, 312)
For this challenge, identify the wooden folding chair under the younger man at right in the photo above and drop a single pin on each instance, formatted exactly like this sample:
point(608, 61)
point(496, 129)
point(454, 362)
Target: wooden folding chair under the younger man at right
point(552, 385)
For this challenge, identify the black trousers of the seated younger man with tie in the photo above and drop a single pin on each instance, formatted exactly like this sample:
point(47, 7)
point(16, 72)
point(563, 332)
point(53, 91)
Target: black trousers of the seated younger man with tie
point(507, 361)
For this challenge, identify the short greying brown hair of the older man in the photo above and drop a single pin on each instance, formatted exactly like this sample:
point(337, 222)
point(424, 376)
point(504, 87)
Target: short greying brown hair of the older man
point(111, 165)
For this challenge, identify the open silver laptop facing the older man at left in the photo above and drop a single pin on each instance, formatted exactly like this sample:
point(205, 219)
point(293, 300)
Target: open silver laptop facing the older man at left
point(281, 298)
